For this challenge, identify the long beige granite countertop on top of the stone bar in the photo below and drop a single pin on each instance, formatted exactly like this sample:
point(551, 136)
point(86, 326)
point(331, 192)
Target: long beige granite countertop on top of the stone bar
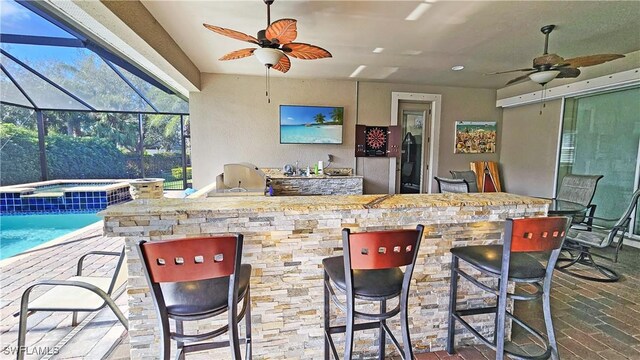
point(314, 203)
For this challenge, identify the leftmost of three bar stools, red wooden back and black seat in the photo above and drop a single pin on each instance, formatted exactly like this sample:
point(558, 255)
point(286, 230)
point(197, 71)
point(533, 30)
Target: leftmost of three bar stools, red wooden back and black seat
point(195, 279)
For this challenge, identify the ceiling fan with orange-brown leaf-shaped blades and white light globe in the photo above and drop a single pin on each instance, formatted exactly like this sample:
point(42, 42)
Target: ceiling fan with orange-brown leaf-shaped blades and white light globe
point(275, 43)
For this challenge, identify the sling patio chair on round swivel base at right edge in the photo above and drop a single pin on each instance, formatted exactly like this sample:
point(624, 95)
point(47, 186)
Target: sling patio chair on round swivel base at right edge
point(598, 237)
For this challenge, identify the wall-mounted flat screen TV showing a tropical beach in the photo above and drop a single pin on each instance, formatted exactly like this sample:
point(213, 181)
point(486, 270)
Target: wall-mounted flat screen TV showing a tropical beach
point(311, 124)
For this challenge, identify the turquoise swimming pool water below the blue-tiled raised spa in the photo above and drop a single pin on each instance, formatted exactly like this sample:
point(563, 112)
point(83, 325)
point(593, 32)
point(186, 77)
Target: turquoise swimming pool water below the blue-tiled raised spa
point(22, 232)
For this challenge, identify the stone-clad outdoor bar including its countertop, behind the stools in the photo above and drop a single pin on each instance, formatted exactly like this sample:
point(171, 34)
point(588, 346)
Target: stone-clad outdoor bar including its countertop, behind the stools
point(286, 239)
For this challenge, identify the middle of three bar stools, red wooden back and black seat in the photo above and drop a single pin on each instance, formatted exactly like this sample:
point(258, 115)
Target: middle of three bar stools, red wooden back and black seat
point(371, 263)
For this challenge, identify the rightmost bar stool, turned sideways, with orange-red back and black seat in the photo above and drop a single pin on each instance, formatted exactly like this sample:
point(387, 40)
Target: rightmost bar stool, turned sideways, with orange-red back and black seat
point(511, 262)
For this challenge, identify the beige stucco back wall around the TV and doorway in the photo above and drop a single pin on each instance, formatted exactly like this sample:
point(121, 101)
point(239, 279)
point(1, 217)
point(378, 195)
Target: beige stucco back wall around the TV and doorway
point(231, 121)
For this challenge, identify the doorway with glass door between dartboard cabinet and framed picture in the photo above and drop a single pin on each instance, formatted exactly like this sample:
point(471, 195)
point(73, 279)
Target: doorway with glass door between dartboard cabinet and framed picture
point(414, 121)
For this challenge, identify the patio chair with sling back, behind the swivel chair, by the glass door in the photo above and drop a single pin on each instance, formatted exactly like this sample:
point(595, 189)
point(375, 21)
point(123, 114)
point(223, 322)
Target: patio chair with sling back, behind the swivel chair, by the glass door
point(580, 189)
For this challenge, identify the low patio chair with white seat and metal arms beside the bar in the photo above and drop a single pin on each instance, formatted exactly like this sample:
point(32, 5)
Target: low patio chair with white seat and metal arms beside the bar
point(78, 293)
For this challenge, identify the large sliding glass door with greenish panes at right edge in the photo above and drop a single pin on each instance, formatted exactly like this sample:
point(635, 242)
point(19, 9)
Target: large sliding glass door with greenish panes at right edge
point(601, 136)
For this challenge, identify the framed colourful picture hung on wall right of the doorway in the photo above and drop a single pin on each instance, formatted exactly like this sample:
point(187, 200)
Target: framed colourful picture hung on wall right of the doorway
point(475, 137)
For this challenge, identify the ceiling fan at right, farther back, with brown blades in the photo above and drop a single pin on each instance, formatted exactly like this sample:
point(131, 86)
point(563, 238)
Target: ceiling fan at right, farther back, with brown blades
point(550, 66)
